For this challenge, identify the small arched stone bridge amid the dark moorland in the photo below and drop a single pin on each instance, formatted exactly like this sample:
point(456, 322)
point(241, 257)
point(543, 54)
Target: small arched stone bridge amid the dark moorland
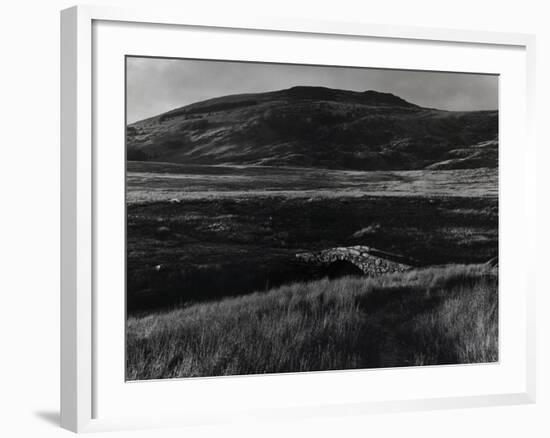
point(366, 260)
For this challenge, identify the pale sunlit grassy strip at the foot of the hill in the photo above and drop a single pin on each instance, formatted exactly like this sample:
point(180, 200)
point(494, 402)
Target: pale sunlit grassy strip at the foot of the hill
point(153, 182)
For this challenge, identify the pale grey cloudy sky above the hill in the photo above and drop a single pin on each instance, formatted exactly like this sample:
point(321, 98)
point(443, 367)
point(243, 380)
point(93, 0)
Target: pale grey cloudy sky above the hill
point(156, 85)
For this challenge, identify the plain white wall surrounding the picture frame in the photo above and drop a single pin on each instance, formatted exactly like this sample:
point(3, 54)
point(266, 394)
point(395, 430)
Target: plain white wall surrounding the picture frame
point(29, 216)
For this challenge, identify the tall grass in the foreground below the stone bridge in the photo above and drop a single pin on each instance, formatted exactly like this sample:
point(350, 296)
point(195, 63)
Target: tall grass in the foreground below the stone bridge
point(445, 315)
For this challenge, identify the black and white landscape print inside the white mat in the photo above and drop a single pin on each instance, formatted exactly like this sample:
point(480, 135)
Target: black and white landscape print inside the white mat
point(286, 218)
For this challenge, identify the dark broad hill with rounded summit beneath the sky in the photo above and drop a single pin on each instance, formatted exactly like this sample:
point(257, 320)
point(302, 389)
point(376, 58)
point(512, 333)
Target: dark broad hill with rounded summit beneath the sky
point(317, 127)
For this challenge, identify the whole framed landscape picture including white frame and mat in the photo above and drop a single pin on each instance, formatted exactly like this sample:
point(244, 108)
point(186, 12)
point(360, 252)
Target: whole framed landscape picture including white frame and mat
point(268, 219)
